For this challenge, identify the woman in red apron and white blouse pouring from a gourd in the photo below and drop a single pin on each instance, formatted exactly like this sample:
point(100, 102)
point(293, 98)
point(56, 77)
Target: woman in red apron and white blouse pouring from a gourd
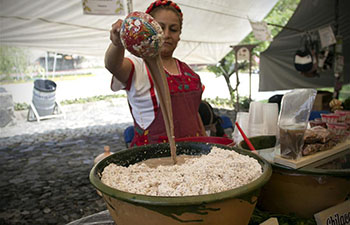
point(130, 73)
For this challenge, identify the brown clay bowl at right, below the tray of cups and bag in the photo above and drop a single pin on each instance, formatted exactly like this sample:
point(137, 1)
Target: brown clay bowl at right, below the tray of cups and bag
point(303, 193)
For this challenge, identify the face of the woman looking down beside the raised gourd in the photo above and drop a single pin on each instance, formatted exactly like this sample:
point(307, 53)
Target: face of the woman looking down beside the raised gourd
point(169, 21)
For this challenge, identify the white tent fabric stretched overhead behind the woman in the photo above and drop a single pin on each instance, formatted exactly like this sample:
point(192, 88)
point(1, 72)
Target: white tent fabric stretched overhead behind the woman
point(209, 27)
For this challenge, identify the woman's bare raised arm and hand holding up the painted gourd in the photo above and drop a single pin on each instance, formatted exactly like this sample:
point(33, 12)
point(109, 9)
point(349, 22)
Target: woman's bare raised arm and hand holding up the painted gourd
point(115, 61)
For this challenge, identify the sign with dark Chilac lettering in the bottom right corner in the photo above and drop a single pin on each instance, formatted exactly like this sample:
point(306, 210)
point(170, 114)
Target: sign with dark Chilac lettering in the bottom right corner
point(339, 215)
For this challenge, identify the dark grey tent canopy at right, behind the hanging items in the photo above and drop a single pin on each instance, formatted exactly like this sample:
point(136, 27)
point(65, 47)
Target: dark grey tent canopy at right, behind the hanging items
point(277, 71)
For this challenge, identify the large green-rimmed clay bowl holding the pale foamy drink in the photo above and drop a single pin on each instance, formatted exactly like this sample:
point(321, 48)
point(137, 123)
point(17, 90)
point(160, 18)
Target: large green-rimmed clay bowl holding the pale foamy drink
point(233, 207)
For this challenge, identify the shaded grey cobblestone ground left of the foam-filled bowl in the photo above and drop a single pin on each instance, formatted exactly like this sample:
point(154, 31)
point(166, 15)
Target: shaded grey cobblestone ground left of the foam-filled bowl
point(48, 182)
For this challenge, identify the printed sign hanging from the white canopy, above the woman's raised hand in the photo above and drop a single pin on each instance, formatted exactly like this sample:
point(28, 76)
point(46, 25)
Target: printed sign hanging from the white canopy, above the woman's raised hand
point(106, 7)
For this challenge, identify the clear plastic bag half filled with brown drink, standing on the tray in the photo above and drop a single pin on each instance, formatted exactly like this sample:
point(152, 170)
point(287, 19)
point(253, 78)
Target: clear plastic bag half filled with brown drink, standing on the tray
point(293, 119)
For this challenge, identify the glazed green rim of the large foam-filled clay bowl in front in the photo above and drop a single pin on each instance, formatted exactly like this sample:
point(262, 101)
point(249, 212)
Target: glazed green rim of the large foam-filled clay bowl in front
point(239, 192)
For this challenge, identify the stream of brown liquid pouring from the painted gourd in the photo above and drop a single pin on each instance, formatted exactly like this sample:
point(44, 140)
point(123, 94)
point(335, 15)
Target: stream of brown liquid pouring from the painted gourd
point(155, 66)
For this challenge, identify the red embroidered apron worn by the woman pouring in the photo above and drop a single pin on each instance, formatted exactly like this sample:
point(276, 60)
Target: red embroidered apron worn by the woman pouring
point(185, 92)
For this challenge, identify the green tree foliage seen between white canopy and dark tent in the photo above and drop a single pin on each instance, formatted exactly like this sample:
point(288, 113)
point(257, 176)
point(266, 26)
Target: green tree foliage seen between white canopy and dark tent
point(277, 18)
